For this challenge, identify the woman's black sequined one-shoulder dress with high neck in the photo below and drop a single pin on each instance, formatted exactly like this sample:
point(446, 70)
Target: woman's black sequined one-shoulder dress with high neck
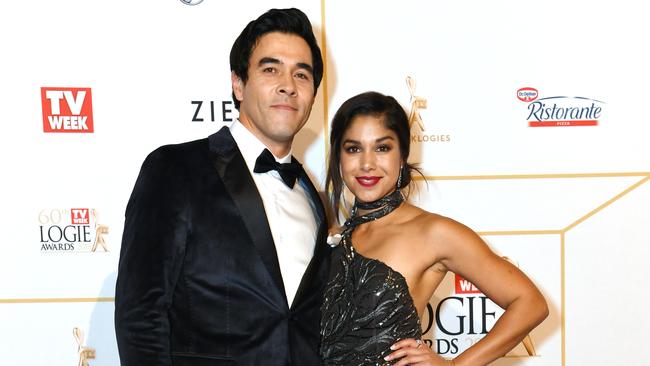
point(367, 307)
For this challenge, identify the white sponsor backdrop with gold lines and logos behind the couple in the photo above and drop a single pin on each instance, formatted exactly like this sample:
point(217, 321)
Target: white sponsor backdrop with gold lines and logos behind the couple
point(529, 121)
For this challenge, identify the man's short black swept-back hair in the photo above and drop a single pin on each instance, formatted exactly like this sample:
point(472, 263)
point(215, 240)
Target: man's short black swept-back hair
point(291, 21)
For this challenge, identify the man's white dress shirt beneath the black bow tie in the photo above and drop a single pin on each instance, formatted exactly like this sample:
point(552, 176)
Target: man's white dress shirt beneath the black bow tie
point(290, 212)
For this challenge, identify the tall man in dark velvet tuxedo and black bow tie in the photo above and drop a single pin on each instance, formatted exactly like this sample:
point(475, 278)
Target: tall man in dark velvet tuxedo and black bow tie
point(222, 261)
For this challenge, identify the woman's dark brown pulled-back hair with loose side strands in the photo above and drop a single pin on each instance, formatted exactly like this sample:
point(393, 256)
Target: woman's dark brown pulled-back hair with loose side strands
point(366, 104)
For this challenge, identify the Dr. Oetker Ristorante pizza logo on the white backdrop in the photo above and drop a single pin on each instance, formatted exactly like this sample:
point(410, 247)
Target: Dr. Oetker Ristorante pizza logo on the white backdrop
point(560, 111)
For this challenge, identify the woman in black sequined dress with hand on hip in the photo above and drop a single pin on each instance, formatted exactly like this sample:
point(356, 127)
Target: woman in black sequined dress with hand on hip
point(392, 255)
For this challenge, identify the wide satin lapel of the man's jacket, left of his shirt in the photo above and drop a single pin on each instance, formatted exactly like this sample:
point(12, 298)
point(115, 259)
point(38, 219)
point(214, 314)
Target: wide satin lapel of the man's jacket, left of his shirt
point(232, 169)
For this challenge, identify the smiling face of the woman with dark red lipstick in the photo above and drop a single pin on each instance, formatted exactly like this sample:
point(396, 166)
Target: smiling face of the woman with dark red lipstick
point(370, 158)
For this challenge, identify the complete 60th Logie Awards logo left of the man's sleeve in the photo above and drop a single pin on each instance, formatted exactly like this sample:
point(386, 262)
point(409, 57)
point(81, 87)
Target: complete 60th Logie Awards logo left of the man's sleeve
point(71, 230)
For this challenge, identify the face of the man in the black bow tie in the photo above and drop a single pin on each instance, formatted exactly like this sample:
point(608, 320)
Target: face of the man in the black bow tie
point(277, 97)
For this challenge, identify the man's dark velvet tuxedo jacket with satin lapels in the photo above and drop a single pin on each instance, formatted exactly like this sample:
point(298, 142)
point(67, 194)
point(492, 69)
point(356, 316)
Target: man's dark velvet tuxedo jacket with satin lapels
point(199, 281)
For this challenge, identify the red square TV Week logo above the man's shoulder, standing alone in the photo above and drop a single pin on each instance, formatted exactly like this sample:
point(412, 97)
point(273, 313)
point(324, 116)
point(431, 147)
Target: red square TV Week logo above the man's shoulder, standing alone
point(67, 110)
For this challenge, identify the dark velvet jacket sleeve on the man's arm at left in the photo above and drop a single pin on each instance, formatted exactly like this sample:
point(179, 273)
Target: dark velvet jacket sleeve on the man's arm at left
point(153, 246)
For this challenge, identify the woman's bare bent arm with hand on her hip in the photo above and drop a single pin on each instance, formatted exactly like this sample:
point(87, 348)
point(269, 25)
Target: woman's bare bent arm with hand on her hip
point(463, 252)
